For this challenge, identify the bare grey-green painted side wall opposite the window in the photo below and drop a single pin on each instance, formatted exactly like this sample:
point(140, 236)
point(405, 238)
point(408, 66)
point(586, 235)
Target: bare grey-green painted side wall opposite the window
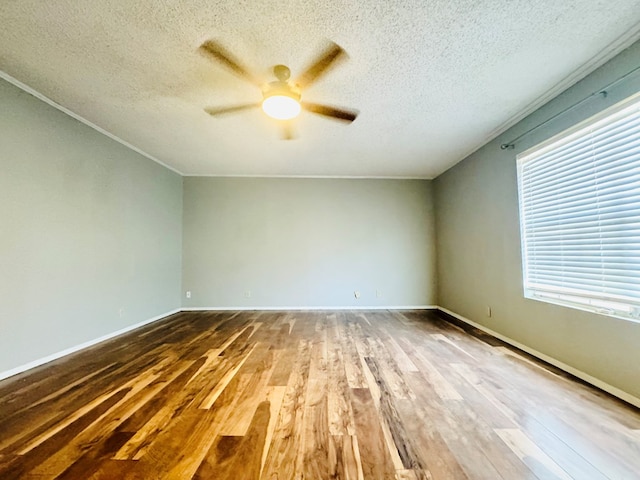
point(90, 238)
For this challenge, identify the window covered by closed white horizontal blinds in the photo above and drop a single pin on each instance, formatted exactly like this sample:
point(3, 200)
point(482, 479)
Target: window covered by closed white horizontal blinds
point(580, 215)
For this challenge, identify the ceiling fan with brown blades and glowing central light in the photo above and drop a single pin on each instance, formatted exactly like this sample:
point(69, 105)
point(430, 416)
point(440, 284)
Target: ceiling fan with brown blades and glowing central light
point(281, 99)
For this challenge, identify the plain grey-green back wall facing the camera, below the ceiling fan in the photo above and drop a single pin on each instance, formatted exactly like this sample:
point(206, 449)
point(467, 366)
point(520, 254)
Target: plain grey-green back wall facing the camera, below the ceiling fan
point(307, 242)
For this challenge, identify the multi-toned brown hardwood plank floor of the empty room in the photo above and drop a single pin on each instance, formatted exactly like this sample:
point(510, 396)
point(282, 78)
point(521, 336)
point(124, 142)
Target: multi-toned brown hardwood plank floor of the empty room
point(313, 395)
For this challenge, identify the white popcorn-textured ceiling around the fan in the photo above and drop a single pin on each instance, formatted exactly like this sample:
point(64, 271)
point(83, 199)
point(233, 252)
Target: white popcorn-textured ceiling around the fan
point(433, 79)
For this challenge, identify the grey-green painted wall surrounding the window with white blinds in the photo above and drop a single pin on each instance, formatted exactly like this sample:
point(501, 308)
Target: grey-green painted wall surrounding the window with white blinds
point(478, 245)
